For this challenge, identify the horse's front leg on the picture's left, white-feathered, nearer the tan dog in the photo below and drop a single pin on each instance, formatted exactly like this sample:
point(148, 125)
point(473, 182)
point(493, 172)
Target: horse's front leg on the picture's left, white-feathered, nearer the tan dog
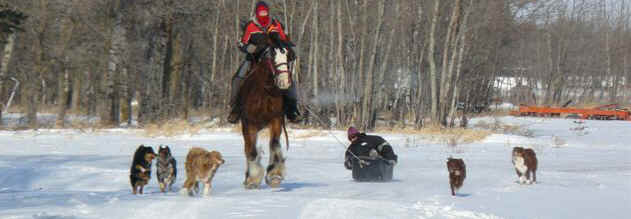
point(254, 170)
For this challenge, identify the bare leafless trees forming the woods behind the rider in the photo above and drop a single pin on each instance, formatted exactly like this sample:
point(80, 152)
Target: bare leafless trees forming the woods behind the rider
point(408, 62)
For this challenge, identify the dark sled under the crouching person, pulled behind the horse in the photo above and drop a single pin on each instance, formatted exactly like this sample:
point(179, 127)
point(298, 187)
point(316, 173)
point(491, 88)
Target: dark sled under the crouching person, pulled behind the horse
point(372, 170)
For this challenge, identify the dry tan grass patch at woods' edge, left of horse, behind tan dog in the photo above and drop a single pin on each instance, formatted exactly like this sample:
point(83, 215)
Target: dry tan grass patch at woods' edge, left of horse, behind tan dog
point(171, 128)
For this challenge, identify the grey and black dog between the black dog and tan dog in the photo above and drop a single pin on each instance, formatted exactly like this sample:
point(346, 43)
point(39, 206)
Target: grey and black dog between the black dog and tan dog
point(166, 169)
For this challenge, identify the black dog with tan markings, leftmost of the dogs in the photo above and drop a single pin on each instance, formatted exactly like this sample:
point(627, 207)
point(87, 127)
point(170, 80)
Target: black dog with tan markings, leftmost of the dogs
point(141, 168)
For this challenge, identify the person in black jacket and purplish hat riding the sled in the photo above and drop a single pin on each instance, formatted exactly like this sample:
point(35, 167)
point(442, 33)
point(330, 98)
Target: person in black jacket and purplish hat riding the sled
point(367, 146)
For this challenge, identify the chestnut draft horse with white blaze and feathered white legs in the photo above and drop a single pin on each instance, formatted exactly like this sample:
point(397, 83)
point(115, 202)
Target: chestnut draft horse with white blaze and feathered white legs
point(261, 101)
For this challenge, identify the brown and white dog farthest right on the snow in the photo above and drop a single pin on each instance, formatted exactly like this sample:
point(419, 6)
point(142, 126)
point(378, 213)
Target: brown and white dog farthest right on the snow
point(525, 162)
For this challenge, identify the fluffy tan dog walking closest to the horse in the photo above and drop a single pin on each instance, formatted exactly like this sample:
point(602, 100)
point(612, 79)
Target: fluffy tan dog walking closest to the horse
point(201, 165)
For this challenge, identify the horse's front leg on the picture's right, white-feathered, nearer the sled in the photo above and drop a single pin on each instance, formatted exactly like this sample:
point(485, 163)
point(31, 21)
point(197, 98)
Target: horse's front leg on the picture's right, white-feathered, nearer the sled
point(276, 165)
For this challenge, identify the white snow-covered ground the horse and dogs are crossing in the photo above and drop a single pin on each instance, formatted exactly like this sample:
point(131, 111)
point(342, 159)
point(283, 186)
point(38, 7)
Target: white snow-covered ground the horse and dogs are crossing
point(71, 174)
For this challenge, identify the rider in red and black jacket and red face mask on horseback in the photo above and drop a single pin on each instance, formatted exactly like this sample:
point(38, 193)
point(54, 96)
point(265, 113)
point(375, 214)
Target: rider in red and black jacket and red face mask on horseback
point(251, 44)
